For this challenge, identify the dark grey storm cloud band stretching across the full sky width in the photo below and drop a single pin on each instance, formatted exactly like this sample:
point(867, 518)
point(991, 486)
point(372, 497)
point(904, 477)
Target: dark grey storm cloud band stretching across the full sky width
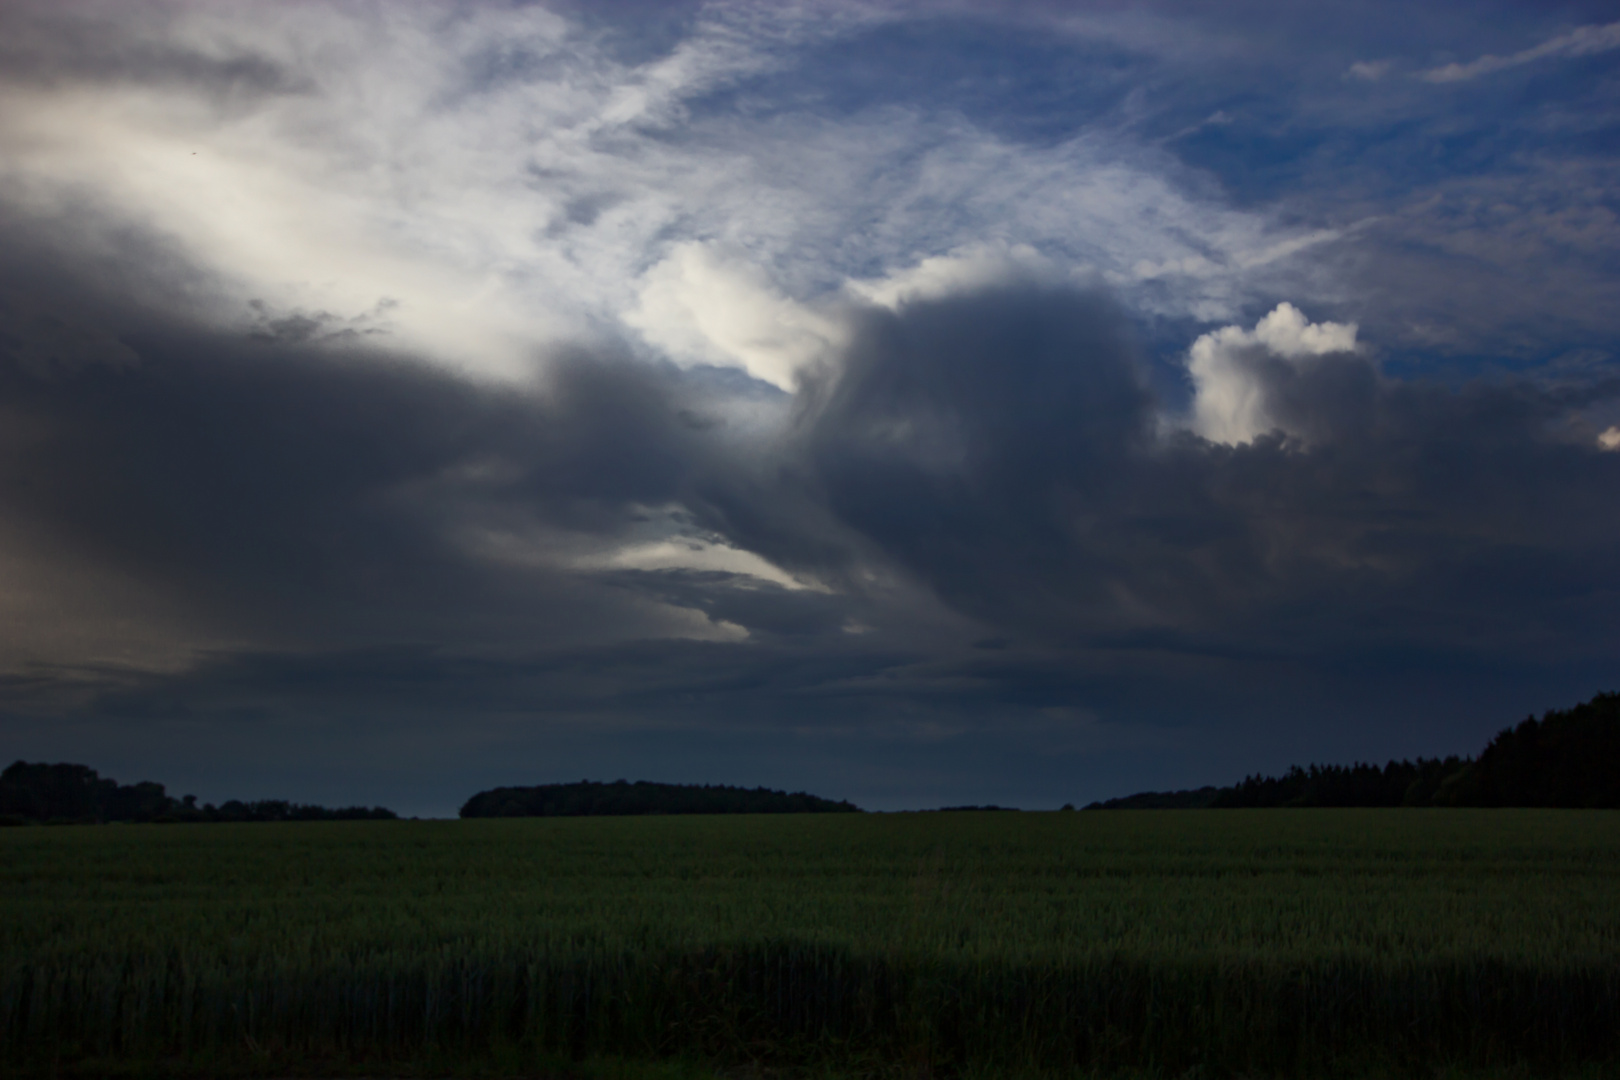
point(999, 448)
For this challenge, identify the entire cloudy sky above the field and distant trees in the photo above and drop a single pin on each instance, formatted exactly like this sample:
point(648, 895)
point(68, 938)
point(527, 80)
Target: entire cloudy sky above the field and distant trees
point(916, 404)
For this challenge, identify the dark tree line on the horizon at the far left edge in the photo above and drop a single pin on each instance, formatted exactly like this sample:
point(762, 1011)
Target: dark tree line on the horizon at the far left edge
point(72, 794)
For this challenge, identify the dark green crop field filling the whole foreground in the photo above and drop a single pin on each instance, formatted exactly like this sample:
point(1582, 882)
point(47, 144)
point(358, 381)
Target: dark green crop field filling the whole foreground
point(1136, 943)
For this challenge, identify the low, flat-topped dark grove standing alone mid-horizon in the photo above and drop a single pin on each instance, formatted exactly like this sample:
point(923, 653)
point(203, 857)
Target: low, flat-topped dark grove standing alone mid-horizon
point(594, 799)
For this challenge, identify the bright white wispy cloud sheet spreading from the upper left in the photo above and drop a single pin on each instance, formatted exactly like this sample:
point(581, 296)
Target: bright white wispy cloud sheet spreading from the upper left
point(508, 179)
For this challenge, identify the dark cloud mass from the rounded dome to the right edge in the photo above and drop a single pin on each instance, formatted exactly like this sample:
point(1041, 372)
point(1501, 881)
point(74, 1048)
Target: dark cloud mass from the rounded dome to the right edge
point(1004, 449)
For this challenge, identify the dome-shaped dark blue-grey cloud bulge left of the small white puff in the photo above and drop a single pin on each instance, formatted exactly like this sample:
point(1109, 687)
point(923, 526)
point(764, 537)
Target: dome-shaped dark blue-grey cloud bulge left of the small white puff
point(970, 440)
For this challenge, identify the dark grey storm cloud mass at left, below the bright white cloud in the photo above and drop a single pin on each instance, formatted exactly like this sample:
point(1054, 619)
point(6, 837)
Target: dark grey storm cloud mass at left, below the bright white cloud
point(313, 496)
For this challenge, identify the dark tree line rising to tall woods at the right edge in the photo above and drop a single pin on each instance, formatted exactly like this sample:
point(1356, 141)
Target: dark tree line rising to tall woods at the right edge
point(1567, 759)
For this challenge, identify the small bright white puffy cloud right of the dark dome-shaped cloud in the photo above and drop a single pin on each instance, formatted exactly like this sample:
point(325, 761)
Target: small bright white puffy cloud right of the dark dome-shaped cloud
point(1230, 396)
